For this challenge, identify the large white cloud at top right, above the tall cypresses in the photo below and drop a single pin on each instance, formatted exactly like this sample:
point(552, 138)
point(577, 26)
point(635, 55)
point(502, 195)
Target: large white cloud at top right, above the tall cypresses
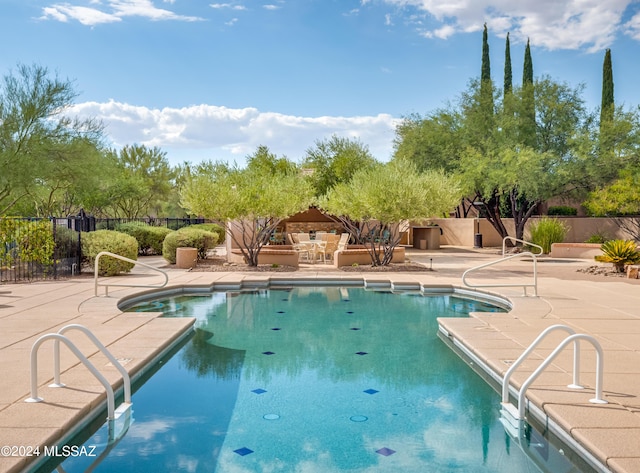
point(552, 24)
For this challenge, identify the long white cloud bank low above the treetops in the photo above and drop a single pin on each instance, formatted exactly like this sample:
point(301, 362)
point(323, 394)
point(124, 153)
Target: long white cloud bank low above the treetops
point(214, 132)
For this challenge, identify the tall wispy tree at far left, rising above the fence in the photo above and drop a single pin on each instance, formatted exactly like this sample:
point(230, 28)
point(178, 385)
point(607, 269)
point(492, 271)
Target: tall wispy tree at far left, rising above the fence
point(40, 144)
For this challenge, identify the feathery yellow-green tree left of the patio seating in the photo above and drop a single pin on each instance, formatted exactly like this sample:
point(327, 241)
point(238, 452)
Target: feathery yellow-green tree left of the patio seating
point(249, 202)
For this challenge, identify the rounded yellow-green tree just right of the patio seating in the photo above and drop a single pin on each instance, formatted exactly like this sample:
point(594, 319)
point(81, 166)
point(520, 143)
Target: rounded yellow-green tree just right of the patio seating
point(374, 203)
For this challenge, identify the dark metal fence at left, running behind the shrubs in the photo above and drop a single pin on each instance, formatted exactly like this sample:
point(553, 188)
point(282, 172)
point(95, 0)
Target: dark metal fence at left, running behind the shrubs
point(50, 248)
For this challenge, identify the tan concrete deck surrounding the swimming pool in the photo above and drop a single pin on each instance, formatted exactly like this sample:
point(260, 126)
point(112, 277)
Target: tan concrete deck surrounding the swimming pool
point(606, 308)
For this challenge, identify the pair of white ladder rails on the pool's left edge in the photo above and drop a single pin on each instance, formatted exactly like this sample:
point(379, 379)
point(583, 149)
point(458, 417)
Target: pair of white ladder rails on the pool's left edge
point(112, 413)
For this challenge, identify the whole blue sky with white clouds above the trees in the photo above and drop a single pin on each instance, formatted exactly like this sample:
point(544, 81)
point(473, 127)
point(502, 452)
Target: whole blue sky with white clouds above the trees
point(203, 80)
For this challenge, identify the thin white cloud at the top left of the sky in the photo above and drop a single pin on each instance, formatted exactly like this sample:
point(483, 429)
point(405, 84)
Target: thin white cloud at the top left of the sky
point(114, 11)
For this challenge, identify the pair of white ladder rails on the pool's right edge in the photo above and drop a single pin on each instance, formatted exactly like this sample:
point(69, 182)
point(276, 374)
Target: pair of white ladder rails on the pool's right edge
point(513, 418)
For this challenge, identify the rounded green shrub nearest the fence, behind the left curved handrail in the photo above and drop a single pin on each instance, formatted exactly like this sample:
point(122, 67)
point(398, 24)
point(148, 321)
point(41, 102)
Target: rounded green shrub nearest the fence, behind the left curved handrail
point(114, 242)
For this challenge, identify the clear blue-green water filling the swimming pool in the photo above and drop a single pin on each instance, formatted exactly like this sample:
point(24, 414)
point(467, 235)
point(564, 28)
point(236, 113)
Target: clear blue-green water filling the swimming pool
point(314, 380)
